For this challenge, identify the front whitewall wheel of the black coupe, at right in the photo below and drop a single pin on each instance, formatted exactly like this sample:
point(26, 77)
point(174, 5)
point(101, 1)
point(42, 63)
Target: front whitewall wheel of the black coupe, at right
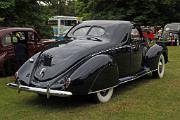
point(160, 67)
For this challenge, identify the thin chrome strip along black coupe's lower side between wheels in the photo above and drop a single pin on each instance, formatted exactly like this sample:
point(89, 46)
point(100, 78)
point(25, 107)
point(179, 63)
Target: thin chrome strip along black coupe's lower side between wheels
point(133, 78)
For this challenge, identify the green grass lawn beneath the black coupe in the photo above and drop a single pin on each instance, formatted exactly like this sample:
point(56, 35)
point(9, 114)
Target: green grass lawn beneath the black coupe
point(143, 99)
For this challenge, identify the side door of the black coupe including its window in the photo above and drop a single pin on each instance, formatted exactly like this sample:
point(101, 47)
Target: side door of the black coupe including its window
point(136, 51)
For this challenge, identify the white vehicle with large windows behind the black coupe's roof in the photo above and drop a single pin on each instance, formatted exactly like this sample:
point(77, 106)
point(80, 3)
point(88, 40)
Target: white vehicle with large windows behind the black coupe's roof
point(61, 24)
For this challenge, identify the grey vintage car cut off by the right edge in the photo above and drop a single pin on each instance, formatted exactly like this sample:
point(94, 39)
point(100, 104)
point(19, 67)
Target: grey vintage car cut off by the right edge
point(171, 34)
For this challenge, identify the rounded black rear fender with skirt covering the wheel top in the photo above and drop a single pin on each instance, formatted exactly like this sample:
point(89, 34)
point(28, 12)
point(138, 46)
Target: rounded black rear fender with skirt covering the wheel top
point(92, 75)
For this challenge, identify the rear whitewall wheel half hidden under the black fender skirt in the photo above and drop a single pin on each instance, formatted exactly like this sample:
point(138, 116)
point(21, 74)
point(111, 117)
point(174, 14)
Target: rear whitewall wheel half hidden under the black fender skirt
point(103, 96)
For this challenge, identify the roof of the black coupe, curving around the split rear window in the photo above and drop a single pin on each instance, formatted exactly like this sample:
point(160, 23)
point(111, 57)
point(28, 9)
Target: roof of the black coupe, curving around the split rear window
point(115, 29)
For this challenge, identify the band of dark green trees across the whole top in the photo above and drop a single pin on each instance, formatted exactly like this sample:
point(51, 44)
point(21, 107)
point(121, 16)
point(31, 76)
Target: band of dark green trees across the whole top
point(30, 13)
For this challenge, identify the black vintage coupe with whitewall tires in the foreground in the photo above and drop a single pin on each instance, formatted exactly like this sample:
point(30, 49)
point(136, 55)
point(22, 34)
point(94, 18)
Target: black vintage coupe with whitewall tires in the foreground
point(95, 57)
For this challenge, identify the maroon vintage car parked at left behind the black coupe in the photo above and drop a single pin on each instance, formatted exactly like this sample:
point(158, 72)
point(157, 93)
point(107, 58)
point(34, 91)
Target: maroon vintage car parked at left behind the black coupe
point(16, 46)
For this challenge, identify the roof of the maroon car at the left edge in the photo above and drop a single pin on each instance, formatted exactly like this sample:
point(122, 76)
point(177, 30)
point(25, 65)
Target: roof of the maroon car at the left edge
point(5, 30)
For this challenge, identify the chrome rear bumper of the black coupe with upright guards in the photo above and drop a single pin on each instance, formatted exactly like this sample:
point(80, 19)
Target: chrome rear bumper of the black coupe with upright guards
point(47, 91)
